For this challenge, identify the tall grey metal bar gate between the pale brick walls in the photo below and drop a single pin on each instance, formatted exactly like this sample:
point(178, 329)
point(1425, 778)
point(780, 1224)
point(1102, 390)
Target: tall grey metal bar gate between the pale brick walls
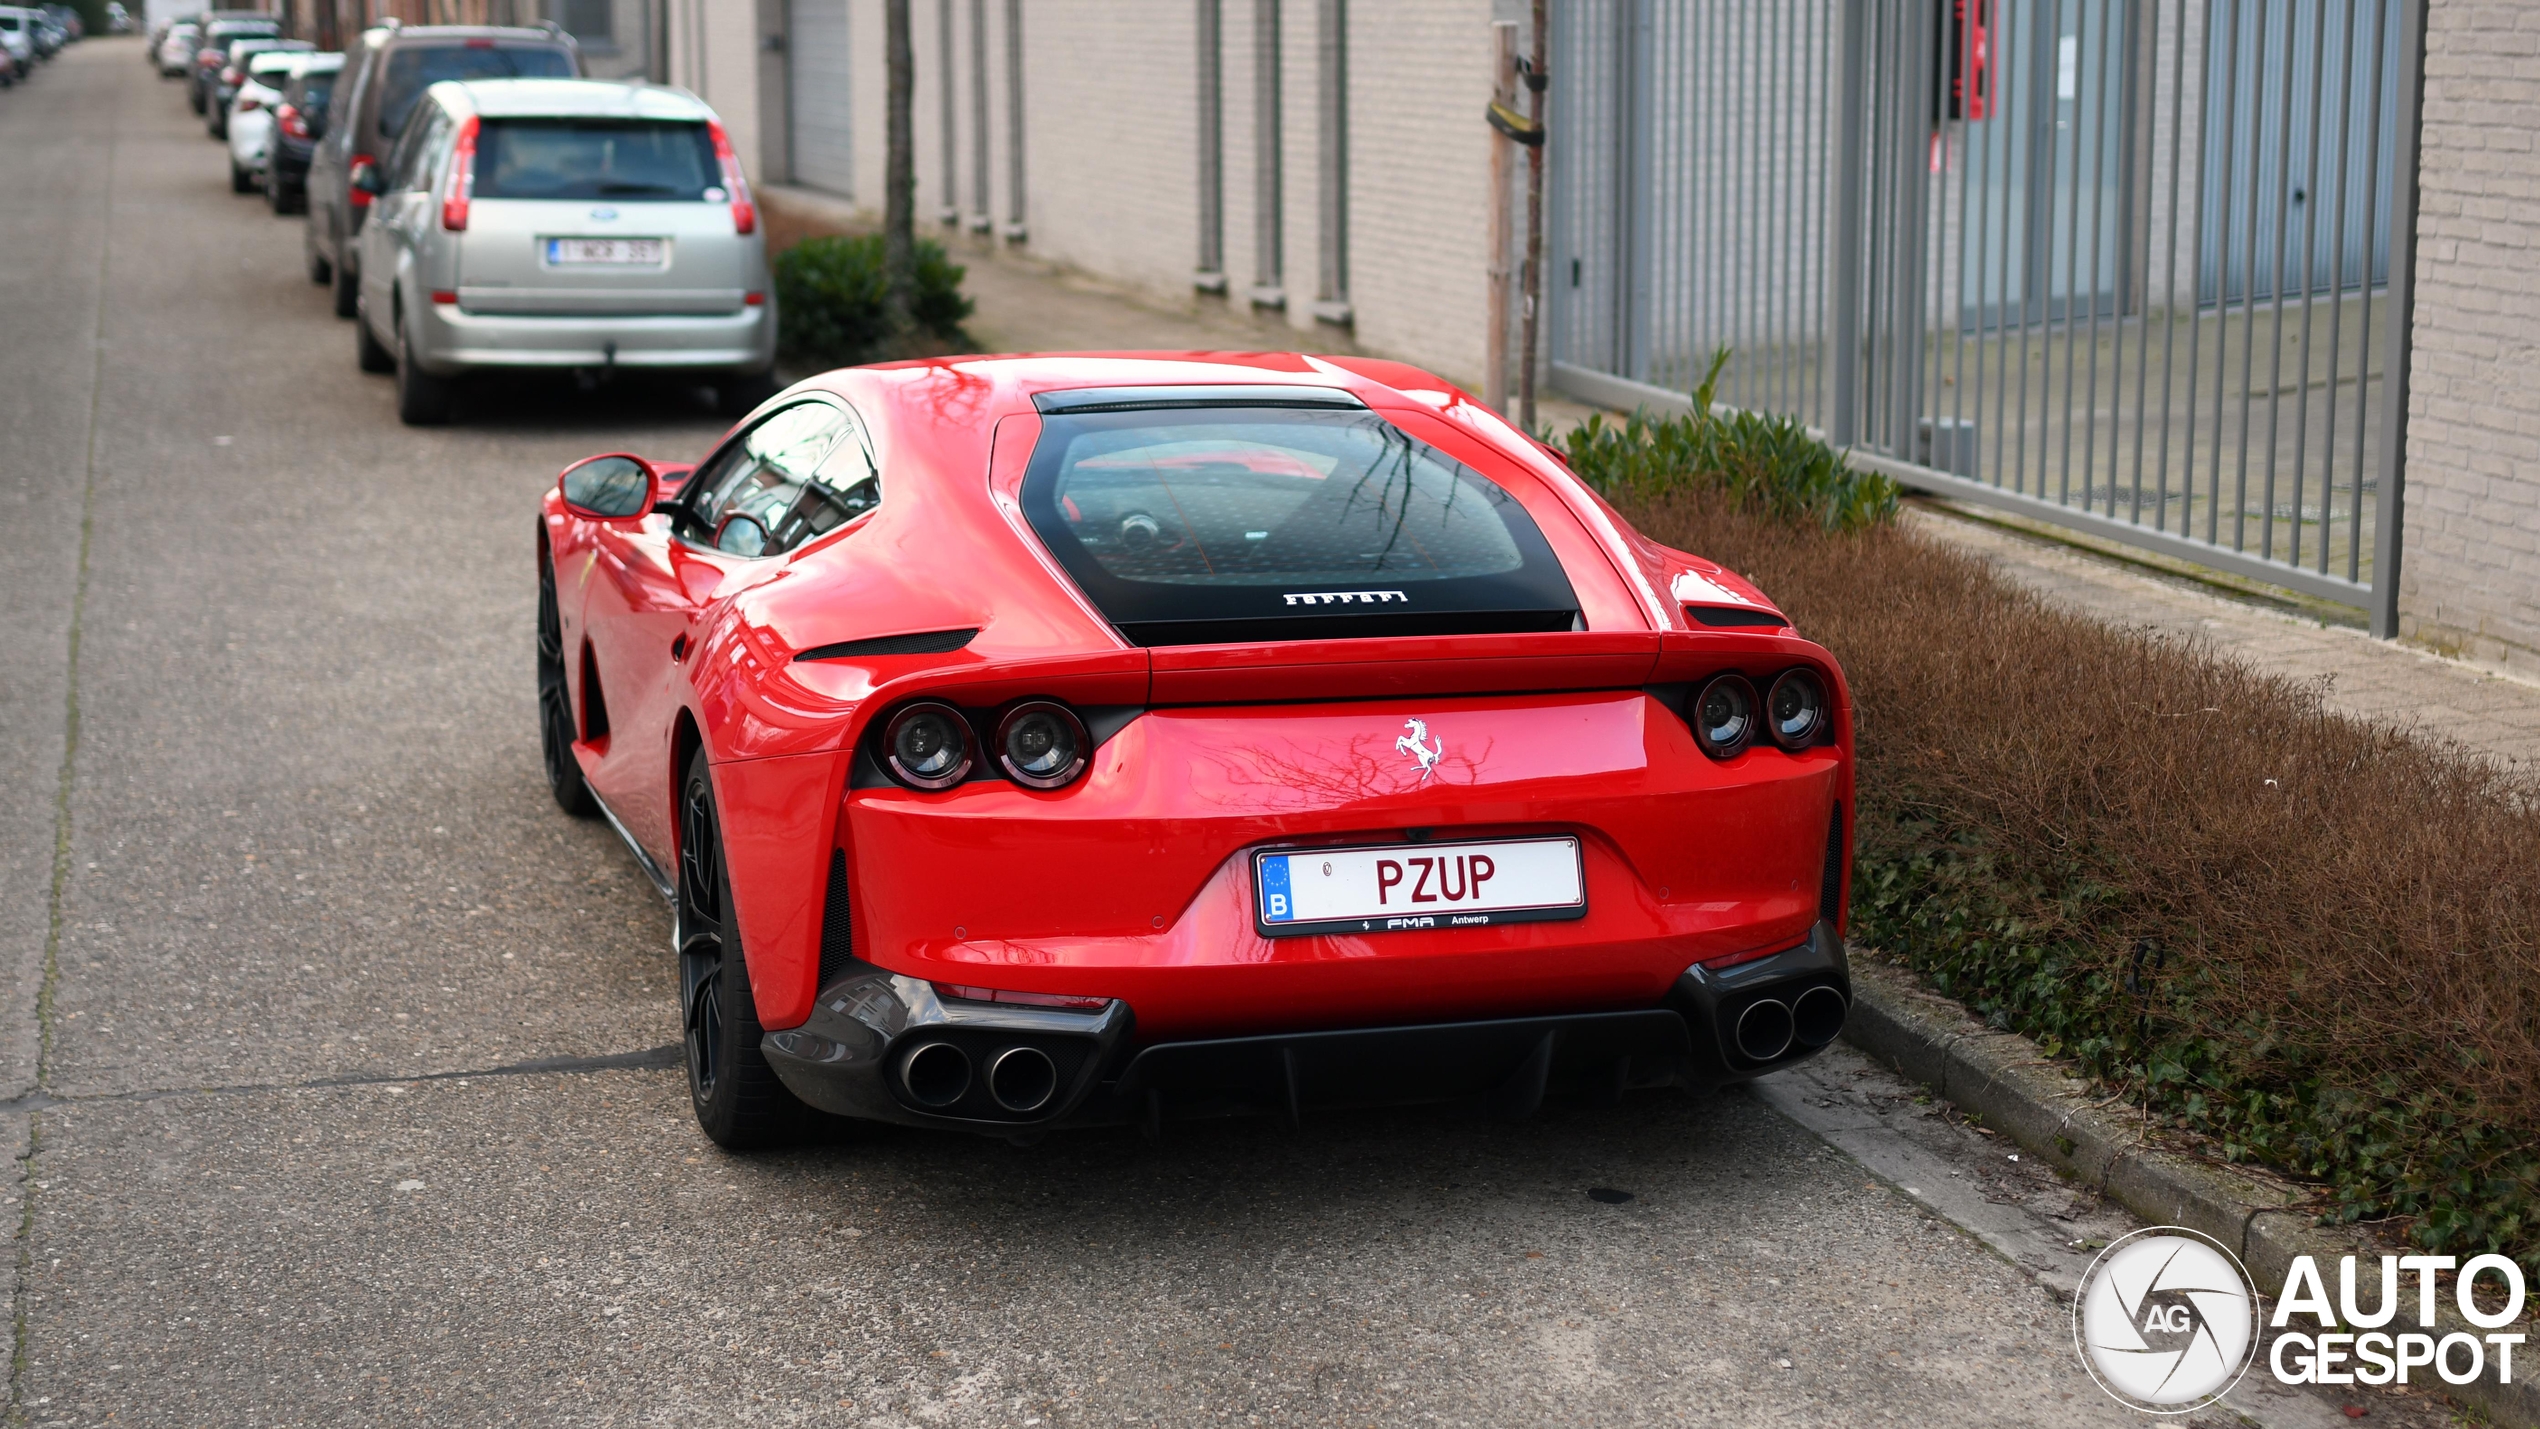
point(2137, 268)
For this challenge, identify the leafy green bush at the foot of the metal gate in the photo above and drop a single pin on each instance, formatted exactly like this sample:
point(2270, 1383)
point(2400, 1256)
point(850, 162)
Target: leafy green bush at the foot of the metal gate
point(1767, 463)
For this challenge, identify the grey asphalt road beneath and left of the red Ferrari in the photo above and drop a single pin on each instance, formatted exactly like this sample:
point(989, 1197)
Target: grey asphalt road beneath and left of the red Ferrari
point(334, 1060)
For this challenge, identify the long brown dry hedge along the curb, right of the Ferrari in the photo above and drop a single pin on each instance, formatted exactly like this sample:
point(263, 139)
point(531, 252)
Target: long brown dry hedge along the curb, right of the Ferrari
point(2292, 930)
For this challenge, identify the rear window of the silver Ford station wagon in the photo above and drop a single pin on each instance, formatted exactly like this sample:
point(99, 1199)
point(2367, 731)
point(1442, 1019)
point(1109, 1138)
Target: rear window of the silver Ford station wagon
point(596, 159)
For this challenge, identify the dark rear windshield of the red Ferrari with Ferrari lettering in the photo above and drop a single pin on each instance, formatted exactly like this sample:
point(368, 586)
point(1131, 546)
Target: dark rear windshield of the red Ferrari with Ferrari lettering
point(1198, 527)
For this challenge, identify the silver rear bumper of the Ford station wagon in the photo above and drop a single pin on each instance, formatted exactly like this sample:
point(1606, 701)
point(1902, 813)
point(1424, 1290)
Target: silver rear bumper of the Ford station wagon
point(453, 341)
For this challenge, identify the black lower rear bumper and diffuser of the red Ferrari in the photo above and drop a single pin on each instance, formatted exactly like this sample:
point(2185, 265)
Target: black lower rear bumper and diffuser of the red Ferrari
point(855, 1055)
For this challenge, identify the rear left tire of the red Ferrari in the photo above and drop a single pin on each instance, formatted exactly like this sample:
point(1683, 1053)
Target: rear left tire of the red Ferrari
point(738, 1098)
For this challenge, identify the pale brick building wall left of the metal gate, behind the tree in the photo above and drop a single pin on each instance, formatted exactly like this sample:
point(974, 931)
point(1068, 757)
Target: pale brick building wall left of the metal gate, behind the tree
point(1111, 133)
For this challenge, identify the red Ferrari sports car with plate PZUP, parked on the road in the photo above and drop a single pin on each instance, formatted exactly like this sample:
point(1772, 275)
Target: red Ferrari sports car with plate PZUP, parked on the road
point(1088, 740)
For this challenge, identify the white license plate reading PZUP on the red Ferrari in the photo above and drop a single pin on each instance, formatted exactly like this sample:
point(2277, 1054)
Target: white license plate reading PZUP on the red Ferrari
point(1419, 887)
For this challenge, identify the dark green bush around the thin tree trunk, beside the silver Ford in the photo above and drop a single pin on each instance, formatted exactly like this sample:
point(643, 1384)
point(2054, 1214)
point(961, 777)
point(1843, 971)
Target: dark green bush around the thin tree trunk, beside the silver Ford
point(829, 303)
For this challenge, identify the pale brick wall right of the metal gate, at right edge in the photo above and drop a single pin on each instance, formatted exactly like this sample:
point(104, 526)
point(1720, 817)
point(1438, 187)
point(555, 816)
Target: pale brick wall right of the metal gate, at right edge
point(2470, 575)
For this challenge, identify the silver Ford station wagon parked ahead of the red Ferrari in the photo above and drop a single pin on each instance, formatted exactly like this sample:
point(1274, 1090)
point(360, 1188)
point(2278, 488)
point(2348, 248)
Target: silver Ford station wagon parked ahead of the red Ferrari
point(563, 225)
